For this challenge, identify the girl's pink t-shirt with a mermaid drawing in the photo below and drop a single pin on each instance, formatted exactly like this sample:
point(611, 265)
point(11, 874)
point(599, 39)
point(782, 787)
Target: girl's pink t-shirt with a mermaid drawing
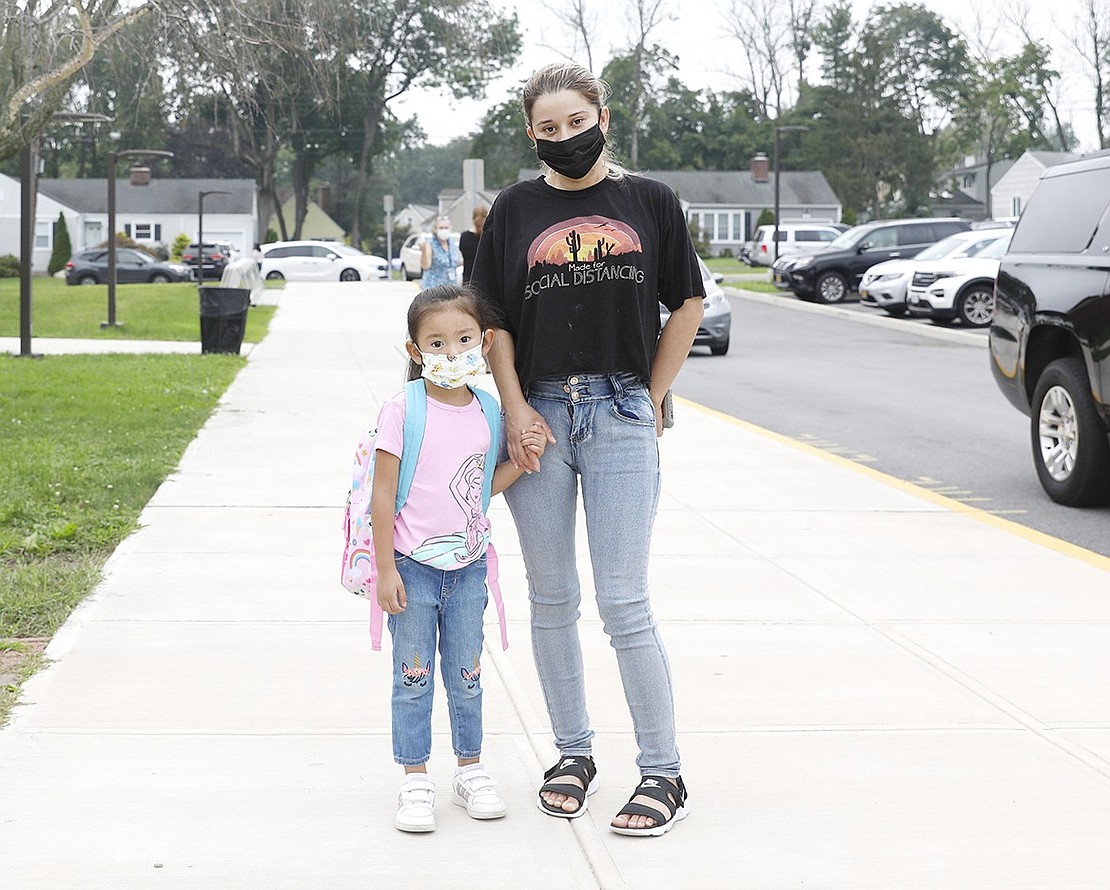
point(442, 523)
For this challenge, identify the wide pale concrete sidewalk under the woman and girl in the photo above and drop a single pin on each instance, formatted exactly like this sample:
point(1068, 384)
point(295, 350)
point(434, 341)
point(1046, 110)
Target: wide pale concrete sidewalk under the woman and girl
point(876, 687)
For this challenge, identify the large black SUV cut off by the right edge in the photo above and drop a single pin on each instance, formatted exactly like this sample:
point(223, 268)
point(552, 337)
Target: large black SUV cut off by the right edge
point(1051, 338)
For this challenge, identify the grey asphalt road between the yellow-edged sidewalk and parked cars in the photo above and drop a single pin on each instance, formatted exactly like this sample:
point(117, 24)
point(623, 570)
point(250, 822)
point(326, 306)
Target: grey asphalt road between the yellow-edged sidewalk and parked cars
point(882, 392)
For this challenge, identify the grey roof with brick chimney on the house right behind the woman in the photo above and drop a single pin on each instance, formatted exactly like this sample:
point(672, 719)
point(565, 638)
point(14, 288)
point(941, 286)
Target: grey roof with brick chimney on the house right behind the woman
point(732, 188)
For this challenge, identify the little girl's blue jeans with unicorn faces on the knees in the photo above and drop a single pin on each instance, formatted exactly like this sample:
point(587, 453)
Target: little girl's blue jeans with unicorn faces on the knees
point(448, 605)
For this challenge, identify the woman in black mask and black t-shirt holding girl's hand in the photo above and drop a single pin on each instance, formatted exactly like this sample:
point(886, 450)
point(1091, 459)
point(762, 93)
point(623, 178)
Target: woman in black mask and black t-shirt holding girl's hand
point(577, 262)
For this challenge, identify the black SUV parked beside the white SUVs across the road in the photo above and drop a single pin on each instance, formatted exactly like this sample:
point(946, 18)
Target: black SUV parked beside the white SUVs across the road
point(831, 275)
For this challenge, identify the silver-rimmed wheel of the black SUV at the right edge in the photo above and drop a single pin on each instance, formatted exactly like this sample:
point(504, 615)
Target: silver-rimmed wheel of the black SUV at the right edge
point(1072, 451)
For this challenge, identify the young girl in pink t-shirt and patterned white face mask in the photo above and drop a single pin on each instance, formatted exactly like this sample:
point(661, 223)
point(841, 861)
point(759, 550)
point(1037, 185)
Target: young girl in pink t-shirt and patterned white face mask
point(431, 557)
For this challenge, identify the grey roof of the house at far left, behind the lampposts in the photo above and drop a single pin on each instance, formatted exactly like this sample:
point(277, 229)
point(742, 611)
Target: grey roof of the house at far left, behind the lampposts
point(162, 196)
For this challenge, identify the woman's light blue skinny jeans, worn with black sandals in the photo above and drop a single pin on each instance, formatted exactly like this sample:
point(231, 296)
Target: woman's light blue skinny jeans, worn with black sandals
point(604, 426)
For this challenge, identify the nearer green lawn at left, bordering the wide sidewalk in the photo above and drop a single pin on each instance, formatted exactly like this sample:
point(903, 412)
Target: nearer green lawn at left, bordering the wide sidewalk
point(85, 442)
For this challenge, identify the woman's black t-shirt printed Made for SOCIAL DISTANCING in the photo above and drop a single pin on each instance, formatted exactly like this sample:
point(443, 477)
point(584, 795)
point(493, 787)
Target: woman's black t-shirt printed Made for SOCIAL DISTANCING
point(579, 276)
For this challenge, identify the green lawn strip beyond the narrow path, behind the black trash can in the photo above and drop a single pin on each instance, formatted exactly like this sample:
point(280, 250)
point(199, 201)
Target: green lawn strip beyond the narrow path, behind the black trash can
point(147, 311)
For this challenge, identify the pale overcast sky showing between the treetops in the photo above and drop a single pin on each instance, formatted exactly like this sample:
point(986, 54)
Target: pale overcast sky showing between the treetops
point(708, 55)
